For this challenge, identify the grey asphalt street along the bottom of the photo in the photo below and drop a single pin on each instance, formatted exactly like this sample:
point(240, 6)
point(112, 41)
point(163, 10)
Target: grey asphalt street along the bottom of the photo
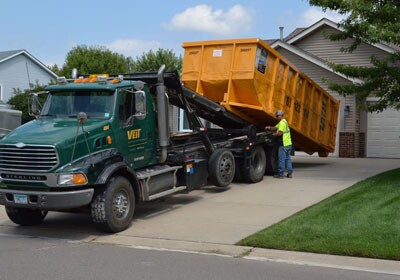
point(42, 258)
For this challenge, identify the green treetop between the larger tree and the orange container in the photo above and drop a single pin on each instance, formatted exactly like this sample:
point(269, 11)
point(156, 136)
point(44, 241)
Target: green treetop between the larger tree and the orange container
point(152, 61)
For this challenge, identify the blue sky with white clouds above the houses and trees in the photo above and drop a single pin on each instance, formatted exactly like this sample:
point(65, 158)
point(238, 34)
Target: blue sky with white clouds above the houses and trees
point(49, 29)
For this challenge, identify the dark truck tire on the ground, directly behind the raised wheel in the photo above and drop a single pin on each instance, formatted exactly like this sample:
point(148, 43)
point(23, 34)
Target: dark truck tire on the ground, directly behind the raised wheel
point(256, 171)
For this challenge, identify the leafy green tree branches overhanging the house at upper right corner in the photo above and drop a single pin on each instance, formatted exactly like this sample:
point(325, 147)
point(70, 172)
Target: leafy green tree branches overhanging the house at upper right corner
point(371, 22)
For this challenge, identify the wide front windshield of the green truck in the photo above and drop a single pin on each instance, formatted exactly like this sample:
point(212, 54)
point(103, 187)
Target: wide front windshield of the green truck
point(96, 104)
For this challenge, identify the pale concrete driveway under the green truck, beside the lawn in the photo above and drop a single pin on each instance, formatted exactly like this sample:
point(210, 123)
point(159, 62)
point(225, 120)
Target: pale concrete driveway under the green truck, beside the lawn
point(212, 219)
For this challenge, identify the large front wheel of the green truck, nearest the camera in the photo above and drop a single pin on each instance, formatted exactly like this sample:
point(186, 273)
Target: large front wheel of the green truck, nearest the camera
point(113, 207)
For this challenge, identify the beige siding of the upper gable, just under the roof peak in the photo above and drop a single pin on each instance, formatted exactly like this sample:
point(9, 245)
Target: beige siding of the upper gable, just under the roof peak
point(319, 45)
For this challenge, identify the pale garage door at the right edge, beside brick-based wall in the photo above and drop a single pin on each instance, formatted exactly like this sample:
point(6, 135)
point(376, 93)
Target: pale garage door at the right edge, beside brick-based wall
point(383, 134)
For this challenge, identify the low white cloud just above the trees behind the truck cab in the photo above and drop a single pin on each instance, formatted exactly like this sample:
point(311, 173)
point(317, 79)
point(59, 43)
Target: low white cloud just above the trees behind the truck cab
point(133, 47)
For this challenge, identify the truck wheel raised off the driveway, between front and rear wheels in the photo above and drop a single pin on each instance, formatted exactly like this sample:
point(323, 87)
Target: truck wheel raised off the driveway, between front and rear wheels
point(221, 168)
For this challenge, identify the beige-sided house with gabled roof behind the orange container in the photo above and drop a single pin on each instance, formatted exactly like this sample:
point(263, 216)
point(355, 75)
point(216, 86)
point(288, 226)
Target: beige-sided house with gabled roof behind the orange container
point(360, 134)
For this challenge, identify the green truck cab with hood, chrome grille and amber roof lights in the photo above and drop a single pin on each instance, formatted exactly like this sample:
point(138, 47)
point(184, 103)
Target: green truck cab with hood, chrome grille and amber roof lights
point(87, 131)
